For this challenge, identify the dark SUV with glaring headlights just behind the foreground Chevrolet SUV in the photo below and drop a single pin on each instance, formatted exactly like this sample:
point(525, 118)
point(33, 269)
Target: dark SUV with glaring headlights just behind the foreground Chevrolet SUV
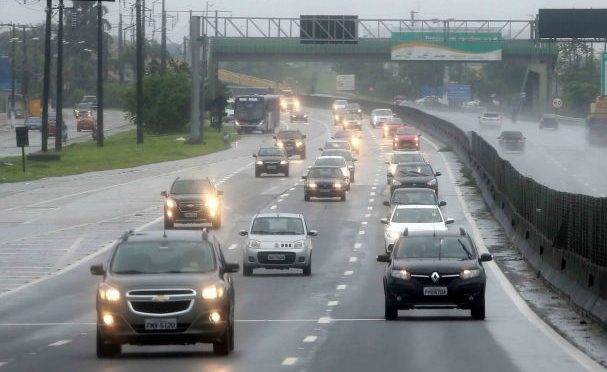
point(192, 201)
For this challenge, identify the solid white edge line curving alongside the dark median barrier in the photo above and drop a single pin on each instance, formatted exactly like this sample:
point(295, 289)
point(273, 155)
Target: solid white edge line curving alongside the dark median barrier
point(507, 286)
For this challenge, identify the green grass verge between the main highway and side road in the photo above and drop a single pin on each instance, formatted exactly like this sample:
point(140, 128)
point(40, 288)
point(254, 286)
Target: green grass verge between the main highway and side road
point(119, 151)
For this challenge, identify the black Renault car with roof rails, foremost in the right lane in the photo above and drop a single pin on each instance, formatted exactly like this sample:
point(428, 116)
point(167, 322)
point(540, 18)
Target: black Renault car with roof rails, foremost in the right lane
point(434, 270)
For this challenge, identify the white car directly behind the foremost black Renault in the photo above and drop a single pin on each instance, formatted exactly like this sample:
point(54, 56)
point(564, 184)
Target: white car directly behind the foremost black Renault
point(413, 217)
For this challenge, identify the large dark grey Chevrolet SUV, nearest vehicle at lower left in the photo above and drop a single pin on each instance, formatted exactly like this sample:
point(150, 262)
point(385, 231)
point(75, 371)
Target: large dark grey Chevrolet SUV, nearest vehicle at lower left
point(164, 288)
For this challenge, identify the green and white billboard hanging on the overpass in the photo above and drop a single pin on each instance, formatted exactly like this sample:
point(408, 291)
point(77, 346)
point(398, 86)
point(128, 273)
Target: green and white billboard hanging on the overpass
point(453, 46)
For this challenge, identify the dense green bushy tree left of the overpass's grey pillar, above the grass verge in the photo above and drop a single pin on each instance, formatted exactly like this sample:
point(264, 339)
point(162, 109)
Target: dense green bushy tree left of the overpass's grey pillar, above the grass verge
point(166, 101)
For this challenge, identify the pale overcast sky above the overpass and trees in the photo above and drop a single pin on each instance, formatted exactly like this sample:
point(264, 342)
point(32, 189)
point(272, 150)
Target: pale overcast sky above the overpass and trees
point(32, 11)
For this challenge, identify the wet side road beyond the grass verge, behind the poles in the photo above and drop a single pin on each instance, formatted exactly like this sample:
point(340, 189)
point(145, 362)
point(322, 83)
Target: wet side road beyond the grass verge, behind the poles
point(114, 121)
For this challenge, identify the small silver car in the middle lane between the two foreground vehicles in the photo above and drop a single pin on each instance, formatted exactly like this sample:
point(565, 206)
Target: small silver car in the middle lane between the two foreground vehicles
point(278, 241)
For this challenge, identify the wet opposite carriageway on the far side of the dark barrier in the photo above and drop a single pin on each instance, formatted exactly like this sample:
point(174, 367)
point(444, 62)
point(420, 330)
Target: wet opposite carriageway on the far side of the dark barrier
point(560, 159)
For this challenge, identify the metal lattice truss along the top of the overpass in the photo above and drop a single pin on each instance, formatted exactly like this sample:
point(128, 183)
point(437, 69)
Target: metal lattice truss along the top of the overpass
point(251, 27)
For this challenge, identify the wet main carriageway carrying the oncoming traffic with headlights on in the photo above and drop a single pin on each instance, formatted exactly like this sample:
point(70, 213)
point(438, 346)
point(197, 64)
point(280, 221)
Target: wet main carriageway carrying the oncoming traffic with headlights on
point(52, 230)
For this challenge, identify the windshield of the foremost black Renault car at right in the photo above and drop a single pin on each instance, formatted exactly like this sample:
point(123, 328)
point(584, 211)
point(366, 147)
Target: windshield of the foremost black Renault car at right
point(435, 248)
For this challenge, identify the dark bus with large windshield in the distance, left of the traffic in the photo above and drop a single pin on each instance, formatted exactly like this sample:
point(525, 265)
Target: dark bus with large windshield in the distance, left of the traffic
point(256, 113)
